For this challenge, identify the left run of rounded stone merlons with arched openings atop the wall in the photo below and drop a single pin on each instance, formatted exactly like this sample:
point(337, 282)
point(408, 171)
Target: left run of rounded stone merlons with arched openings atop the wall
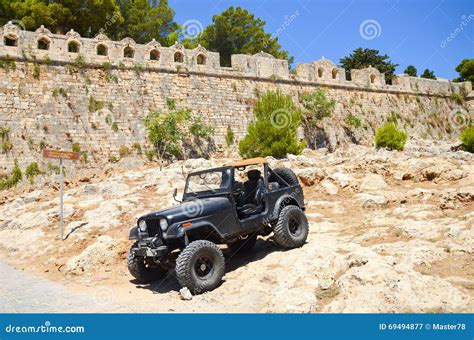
point(100, 50)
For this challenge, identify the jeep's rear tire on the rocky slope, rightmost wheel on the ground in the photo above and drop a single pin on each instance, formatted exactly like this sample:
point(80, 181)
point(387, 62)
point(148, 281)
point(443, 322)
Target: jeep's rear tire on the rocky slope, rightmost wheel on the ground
point(291, 229)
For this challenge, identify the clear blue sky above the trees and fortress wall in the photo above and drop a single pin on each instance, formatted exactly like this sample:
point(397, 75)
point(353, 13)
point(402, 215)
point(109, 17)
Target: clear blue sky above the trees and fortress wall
point(410, 32)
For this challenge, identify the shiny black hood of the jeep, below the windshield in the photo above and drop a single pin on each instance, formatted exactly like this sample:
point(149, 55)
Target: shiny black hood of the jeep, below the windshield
point(192, 209)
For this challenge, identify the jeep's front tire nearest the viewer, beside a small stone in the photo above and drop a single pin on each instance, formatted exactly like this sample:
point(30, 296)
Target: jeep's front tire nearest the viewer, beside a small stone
point(200, 266)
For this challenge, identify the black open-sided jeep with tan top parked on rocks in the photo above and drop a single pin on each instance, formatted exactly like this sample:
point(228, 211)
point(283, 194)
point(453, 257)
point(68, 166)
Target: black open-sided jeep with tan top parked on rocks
point(217, 208)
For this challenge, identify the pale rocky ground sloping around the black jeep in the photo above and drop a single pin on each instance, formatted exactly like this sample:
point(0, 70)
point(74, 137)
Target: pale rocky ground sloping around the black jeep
point(389, 232)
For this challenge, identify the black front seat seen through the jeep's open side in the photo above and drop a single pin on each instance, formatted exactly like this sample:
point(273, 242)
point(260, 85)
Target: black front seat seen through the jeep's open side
point(253, 189)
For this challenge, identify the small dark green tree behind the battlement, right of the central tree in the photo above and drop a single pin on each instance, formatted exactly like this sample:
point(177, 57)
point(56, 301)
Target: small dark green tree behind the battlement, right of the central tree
point(362, 58)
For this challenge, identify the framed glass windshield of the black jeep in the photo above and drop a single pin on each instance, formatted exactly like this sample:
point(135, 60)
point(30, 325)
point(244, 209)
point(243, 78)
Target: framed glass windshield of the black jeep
point(208, 182)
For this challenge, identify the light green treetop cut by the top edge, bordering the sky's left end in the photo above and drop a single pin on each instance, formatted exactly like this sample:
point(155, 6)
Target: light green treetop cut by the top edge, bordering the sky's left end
point(146, 20)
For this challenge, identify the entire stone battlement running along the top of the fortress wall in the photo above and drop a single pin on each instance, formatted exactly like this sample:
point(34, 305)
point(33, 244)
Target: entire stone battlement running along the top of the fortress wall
point(44, 46)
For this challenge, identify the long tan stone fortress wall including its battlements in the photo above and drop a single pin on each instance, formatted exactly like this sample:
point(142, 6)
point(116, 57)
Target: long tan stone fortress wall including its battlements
point(57, 90)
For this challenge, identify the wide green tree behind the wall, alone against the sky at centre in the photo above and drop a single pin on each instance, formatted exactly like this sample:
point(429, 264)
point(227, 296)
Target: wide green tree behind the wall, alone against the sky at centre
point(237, 31)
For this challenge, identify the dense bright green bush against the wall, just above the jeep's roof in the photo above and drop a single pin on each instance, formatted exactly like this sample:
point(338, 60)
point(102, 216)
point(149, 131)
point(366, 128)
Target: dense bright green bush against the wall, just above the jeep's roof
point(274, 132)
